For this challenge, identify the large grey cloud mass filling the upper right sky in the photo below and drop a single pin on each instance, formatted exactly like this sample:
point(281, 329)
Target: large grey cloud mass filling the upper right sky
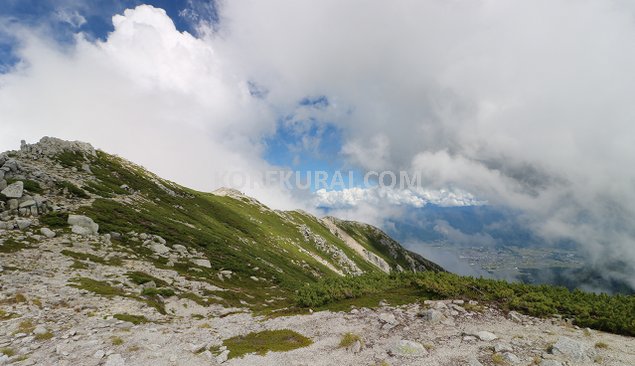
point(523, 104)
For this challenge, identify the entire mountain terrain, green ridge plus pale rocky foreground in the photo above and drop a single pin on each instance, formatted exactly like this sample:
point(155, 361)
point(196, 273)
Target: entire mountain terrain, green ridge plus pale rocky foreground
point(105, 263)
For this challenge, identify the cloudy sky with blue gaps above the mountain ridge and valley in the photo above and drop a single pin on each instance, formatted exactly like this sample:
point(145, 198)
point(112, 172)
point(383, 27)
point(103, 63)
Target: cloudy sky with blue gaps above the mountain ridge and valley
point(524, 106)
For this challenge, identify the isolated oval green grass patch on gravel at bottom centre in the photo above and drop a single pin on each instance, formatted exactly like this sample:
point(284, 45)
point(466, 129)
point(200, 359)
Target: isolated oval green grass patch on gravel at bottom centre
point(267, 341)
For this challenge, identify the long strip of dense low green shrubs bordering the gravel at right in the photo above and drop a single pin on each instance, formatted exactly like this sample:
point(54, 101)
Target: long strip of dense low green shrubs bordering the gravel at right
point(614, 314)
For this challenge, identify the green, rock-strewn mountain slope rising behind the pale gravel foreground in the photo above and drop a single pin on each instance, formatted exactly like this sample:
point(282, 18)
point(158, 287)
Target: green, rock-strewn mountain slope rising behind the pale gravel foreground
point(224, 238)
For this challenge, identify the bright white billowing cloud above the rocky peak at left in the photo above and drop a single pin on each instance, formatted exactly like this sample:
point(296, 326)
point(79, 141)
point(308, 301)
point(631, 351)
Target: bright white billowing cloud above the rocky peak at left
point(150, 93)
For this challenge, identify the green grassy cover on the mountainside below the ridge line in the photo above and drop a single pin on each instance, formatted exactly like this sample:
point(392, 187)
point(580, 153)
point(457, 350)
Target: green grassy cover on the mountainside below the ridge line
point(236, 234)
